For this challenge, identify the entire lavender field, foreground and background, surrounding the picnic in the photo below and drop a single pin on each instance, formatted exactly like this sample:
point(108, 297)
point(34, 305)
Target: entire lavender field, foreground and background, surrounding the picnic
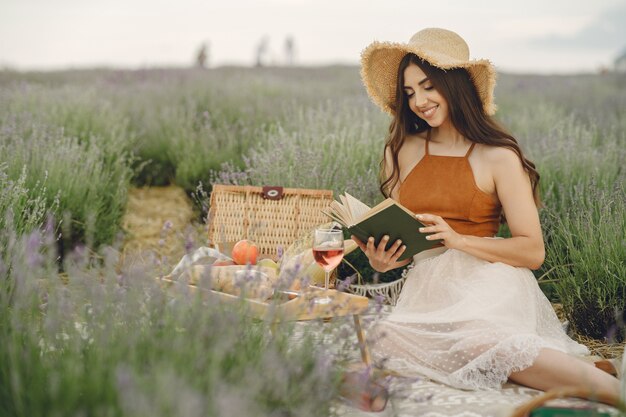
point(83, 333)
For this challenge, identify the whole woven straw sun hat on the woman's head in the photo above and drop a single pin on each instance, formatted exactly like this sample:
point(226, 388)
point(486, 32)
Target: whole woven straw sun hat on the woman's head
point(441, 48)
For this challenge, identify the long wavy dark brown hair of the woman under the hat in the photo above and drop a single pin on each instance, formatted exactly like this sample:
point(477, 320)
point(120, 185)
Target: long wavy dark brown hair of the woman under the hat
point(466, 115)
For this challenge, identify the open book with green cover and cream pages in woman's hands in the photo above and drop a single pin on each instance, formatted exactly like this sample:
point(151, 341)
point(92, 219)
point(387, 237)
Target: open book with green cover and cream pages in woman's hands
point(386, 218)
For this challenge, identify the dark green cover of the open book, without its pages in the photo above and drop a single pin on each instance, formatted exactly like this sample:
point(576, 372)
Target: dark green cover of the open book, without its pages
point(398, 224)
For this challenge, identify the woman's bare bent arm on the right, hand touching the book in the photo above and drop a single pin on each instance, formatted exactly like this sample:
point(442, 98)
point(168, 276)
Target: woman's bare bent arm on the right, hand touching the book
point(525, 247)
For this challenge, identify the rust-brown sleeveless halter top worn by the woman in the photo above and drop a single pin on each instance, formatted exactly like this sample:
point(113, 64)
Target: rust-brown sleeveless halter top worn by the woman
point(445, 186)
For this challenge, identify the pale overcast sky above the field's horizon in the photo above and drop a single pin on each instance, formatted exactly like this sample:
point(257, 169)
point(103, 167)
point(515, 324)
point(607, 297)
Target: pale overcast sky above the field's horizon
point(543, 36)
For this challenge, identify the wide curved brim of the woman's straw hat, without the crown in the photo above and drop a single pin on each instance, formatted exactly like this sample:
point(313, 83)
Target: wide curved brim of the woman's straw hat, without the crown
point(379, 71)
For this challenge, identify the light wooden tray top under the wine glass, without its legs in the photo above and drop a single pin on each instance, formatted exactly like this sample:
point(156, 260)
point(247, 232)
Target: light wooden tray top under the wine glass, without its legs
point(289, 305)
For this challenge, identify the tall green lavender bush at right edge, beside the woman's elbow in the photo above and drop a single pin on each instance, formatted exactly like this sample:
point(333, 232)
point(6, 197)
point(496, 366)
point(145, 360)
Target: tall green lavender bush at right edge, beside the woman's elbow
point(587, 251)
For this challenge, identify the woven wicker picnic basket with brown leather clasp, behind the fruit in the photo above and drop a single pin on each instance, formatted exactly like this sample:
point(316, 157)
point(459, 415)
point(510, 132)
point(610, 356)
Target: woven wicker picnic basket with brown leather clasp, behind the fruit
point(271, 216)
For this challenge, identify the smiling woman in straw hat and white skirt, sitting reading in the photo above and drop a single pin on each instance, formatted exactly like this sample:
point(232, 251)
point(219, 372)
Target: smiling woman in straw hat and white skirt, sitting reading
point(471, 314)
